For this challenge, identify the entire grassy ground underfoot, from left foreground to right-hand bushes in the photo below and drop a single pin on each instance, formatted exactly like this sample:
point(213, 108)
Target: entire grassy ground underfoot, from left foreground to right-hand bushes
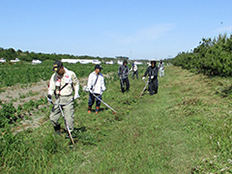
point(185, 128)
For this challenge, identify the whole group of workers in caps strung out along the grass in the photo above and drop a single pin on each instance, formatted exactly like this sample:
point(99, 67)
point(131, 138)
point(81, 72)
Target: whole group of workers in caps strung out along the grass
point(64, 82)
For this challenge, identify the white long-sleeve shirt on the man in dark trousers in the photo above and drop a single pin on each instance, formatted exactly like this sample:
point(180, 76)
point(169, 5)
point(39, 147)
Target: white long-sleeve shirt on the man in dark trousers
point(99, 86)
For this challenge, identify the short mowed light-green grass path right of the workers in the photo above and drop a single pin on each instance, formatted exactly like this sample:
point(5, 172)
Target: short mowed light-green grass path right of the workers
point(171, 132)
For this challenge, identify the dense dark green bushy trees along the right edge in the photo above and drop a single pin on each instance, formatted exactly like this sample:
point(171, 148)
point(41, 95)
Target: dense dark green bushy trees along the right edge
point(213, 57)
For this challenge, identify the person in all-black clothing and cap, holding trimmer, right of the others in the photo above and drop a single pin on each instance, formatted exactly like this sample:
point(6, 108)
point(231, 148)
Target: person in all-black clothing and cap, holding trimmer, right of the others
point(152, 72)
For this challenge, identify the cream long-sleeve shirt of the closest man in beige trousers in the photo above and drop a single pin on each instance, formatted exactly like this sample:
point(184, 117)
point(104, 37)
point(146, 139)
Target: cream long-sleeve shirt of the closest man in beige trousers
point(57, 80)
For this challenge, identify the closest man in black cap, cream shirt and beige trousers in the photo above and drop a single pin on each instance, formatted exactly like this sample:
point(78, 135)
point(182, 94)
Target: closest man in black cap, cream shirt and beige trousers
point(62, 83)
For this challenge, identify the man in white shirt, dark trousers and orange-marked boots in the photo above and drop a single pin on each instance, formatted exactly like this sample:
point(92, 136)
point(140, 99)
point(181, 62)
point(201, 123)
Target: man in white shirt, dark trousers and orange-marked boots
point(96, 86)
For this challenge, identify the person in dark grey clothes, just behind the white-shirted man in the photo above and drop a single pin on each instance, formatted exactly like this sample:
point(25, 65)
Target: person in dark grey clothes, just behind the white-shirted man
point(123, 73)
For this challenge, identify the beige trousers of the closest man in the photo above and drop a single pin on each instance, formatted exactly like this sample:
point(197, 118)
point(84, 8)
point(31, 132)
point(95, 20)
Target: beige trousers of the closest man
point(67, 109)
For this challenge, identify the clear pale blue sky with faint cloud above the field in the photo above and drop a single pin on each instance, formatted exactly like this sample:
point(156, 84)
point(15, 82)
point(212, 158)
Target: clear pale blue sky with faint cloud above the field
point(138, 29)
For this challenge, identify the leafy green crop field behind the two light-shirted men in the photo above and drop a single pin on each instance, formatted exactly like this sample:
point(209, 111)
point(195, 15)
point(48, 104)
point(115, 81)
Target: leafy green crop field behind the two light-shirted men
point(25, 73)
